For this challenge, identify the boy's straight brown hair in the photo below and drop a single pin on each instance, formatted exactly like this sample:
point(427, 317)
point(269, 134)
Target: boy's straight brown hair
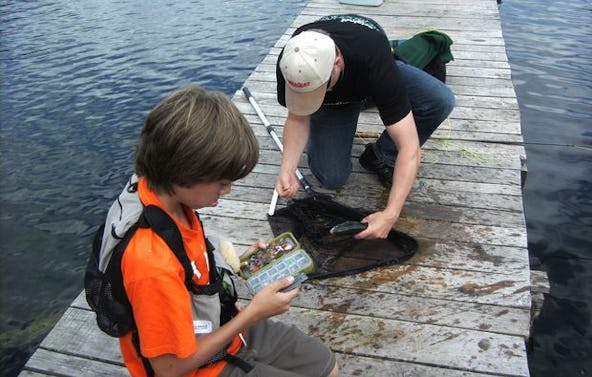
point(195, 136)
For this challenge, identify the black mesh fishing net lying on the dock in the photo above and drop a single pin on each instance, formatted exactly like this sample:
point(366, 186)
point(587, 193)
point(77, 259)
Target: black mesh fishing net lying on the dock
point(310, 220)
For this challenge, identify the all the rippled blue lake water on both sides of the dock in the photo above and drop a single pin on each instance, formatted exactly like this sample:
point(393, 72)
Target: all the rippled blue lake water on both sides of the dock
point(79, 76)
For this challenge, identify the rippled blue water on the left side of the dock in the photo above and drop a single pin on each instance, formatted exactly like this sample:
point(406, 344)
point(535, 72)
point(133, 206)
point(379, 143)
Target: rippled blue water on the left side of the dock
point(78, 77)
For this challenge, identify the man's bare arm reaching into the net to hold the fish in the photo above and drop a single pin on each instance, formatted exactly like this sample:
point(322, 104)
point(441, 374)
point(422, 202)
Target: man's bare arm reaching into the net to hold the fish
point(404, 135)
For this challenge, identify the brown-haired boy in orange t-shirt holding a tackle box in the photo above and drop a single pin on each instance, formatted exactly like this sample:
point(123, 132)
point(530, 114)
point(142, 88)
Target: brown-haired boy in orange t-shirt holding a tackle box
point(193, 145)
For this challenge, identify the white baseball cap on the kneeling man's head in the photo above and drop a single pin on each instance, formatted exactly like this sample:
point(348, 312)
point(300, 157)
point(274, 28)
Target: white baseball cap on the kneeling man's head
point(306, 64)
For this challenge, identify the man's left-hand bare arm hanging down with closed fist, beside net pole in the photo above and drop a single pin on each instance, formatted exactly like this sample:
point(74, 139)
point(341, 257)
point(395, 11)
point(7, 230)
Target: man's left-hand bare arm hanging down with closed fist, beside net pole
point(296, 131)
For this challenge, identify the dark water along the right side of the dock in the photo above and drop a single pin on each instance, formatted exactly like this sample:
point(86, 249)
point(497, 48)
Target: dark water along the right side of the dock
point(549, 45)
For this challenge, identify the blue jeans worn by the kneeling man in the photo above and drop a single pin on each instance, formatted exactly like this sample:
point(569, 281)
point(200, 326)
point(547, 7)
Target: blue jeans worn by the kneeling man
point(333, 128)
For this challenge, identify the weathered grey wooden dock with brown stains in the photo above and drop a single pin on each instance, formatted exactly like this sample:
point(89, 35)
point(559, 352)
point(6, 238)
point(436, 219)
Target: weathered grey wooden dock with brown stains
point(462, 305)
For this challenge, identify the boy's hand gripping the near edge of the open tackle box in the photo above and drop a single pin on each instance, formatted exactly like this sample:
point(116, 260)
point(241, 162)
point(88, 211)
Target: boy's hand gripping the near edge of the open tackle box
point(270, 301)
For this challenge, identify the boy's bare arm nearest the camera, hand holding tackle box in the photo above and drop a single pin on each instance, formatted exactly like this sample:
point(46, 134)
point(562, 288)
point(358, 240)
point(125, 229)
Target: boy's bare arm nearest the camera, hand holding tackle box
point(267, 303)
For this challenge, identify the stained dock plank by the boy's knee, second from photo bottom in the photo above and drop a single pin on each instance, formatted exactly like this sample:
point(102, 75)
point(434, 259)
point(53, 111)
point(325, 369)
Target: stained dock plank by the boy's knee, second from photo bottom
point(423, 344)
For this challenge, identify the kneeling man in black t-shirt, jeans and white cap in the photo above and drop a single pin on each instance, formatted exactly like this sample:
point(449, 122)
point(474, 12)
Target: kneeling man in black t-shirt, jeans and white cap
point(324, 73)
